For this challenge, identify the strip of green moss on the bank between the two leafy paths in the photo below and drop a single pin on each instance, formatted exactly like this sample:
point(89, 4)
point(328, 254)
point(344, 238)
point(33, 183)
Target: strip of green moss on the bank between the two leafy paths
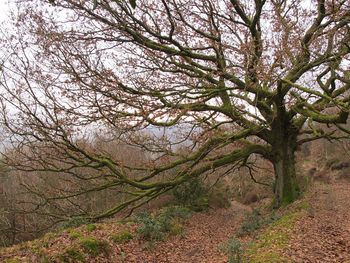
point(270, 244)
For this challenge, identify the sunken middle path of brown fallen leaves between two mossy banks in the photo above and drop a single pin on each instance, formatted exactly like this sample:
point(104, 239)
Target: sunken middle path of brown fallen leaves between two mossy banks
point(200, 243)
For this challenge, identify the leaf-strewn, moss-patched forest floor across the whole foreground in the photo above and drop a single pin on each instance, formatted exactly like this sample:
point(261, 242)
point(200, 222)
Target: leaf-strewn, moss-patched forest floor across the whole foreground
point(314, 229)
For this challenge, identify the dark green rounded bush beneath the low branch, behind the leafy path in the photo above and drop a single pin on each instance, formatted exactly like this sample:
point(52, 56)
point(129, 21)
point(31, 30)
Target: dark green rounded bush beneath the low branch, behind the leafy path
point(192, 194)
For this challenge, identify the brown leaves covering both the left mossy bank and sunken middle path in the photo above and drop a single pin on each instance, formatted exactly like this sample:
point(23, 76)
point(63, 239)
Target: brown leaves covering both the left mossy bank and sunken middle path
point(204, 232)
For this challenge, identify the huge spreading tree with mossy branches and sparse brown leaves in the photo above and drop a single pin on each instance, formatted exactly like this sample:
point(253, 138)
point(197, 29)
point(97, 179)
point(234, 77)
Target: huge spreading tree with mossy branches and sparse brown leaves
point(227, 79)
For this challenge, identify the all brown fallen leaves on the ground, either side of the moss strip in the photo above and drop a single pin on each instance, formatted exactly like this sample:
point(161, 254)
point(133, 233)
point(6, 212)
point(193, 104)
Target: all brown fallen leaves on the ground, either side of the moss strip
point(322, 235)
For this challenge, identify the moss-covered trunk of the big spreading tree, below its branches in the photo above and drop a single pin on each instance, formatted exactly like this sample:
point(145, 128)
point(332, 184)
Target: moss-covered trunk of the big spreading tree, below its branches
point(286, 189)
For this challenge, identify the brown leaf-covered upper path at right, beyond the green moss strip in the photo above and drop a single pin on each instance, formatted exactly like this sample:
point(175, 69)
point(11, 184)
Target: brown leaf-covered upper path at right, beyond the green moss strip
point(324, 234)
